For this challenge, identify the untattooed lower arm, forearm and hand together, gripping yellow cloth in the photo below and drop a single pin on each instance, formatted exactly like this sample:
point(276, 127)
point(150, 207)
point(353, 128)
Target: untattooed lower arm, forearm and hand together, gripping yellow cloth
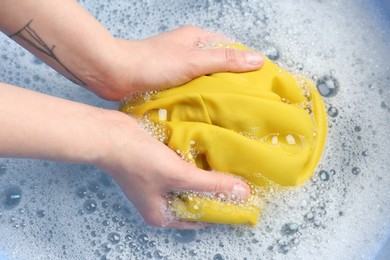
point(35, 125)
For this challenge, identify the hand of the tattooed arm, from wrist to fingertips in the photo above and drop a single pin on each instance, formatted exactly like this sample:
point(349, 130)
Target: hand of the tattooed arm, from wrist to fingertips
point(170, 59)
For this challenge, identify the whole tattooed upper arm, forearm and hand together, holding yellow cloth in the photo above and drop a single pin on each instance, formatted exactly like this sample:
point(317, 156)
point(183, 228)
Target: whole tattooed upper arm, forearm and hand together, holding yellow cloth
point(64, 35)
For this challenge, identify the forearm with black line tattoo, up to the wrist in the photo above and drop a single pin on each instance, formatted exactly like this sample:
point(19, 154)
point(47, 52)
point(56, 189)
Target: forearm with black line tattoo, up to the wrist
point(61, 33)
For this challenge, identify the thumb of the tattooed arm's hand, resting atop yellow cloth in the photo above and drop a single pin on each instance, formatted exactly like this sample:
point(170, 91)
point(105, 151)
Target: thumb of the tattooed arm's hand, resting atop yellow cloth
point(205, 61)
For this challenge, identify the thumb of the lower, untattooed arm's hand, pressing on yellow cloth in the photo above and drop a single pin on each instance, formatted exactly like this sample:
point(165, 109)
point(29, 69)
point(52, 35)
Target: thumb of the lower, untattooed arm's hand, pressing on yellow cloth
point(205, 181)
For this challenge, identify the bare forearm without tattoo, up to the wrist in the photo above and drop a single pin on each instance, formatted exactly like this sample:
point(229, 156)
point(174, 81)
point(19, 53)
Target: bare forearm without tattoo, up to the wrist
point(35, 125)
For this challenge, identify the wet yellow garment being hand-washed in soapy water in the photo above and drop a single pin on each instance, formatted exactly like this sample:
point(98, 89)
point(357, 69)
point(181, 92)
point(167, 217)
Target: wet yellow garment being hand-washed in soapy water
point(265, 126)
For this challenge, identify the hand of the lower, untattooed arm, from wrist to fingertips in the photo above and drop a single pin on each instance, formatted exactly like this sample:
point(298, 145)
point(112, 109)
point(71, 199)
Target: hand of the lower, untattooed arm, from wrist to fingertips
point(147, 171)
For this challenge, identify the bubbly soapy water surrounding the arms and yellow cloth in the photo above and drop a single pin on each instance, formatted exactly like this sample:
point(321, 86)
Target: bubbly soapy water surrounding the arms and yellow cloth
point(61, 211)
